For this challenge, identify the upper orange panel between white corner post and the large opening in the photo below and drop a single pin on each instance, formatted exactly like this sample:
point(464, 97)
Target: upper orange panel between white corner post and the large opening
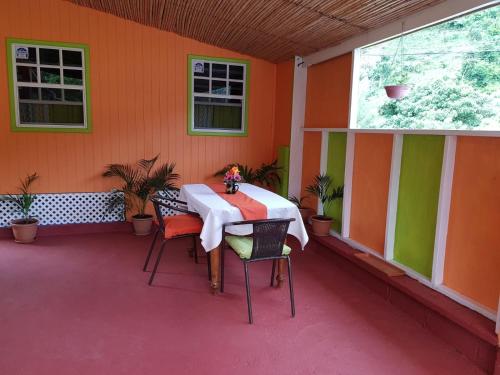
point(328, 88)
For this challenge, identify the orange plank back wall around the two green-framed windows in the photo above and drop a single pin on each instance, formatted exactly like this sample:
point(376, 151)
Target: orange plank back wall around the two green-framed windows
point(139, 102)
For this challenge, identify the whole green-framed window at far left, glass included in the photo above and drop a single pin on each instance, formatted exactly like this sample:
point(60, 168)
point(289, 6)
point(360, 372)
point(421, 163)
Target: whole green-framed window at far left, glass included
point(45, 92)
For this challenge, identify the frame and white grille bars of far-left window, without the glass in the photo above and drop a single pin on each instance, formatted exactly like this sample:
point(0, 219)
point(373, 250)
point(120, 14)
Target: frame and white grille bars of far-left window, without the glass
point(16, 85)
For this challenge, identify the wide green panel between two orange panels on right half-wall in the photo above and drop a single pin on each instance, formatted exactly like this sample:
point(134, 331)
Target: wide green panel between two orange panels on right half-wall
point(419, 182)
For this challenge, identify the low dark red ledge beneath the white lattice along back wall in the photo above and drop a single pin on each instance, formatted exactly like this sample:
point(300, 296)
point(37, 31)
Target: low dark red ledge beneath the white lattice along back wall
point(69, 229)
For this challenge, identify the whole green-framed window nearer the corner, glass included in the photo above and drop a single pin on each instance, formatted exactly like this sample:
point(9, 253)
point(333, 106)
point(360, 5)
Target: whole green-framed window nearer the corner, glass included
point(214, 95)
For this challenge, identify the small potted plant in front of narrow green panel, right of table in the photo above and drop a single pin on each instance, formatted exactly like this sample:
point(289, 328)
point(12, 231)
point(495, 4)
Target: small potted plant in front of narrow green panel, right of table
point(323, 190)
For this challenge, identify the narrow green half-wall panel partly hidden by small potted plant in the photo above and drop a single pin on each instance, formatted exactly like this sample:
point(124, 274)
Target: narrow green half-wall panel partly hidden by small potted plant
point(335, 168)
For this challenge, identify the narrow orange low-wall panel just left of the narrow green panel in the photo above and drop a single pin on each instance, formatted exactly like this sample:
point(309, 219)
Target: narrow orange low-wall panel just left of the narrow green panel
point(310, 164)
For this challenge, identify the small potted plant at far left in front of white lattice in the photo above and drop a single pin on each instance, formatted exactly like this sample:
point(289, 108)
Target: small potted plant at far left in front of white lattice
point(25, 228)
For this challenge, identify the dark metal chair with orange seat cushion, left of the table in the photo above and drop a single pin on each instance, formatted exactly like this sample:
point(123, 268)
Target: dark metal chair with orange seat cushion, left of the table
point(187, 224)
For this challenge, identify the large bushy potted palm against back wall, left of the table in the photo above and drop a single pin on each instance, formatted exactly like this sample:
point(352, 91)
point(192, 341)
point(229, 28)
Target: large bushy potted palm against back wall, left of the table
point(140, 182)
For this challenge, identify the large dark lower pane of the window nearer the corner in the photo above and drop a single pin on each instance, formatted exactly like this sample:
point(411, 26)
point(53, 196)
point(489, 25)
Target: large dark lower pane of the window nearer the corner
point(217, 113)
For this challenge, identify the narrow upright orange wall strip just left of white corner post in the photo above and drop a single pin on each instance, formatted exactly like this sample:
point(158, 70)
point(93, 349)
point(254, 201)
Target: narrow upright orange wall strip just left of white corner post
point(283, 110)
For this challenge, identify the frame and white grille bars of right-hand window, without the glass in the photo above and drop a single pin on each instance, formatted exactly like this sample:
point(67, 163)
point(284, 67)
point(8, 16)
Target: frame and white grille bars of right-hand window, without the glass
point(228, 62)
